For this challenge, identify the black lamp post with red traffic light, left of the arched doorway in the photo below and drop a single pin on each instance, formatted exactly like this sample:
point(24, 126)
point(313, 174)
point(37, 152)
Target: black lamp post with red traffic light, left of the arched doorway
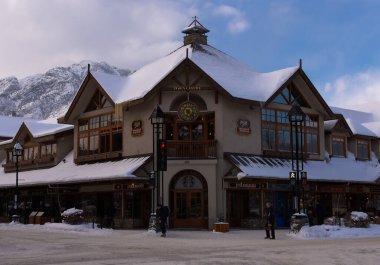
point(157, 120)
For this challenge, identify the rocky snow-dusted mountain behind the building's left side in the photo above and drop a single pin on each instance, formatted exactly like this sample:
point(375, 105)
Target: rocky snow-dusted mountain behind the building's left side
point(47, 95)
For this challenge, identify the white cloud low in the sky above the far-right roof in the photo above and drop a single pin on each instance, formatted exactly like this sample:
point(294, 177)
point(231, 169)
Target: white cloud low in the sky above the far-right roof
point(354, 90)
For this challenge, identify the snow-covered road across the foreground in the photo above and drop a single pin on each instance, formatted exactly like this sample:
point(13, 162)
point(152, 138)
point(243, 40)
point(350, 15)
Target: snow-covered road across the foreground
point(31, 246)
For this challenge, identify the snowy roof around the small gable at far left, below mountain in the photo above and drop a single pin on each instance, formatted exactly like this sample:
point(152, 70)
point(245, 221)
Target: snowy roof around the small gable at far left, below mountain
point(38, 128)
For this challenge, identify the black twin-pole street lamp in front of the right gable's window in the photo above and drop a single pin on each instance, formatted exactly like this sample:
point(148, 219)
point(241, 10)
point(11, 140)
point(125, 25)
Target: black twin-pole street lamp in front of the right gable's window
point(296, 119)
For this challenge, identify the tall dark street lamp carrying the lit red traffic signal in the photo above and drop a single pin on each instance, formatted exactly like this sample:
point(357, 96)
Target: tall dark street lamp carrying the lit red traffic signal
point(157, 120)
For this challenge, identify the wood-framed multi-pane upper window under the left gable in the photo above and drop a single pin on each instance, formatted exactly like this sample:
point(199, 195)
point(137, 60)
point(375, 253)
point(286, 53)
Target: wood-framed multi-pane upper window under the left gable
point(100, 134)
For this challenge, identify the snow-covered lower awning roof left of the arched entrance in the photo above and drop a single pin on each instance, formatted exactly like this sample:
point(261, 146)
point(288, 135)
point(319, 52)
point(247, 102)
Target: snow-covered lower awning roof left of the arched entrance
point(68, 172)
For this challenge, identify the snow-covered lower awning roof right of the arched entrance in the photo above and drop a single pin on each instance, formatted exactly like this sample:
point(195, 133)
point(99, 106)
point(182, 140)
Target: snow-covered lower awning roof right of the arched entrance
point(336, 169)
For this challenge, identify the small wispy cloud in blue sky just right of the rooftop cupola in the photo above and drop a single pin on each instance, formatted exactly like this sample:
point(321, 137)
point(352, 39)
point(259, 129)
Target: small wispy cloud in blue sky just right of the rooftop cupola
point(237, 22)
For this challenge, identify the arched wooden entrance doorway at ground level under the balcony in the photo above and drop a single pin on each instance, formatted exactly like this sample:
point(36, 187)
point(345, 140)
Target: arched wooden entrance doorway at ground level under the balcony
point(189, 200)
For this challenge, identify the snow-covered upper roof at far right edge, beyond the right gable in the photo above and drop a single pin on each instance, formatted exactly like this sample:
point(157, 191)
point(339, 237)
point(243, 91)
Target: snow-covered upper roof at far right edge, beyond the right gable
point(360, 122)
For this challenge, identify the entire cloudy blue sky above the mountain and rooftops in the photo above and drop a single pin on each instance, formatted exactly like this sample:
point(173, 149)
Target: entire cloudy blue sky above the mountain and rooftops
point(338, 40)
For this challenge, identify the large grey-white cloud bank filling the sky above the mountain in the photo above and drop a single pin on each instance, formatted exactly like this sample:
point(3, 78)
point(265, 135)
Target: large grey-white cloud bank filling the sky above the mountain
point(40, 34)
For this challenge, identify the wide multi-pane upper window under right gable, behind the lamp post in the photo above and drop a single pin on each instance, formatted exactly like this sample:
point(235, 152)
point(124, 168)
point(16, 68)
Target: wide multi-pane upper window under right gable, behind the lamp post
point(276, 132)
